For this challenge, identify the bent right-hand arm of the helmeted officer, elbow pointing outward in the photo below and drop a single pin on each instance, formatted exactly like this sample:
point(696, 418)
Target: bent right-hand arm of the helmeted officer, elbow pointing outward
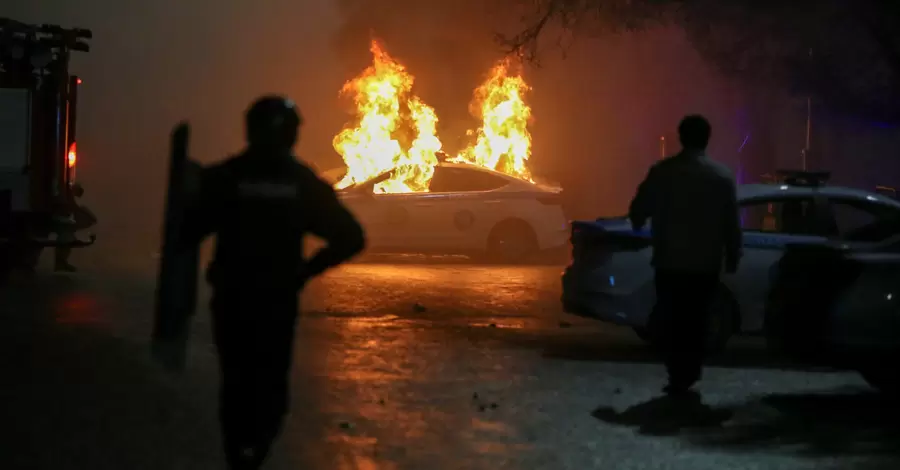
point(332, 222)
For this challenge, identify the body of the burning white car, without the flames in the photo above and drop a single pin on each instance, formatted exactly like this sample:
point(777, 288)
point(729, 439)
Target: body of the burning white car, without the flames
point(467, 210)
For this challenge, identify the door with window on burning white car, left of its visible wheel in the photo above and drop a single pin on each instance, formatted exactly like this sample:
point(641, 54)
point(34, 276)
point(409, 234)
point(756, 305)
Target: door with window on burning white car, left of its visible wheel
point(464, 211)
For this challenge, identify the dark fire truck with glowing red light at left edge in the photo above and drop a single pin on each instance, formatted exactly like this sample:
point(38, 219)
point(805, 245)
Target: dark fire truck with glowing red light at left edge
point(38, 152)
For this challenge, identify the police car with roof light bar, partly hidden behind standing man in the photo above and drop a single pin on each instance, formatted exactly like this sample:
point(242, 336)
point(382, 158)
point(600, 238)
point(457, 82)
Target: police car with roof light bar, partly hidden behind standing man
point(610, 277)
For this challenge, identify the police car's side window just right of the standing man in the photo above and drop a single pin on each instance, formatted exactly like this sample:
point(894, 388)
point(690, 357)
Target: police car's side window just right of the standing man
point(793, 216)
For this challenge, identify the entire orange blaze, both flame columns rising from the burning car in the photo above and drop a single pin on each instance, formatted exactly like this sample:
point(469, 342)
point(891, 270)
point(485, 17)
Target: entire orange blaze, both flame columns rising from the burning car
point(395, 130)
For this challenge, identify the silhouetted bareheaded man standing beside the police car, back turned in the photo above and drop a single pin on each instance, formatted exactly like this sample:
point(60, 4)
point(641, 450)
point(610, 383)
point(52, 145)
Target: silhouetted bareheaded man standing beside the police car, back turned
point(691, 202)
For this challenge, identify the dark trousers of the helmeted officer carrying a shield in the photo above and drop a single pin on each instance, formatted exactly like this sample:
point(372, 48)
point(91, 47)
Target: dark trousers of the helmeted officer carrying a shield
point(254, 333)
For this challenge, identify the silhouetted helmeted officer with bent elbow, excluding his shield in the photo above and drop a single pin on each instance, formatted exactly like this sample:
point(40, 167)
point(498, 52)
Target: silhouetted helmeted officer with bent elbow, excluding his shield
point(261, 204)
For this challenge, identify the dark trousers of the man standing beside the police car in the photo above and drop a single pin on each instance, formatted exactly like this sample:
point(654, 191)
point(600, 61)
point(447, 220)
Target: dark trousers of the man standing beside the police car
point(684, 299)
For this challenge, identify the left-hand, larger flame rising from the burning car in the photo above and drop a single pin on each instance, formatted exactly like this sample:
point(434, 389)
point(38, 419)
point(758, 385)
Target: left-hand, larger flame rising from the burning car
point(393, 129)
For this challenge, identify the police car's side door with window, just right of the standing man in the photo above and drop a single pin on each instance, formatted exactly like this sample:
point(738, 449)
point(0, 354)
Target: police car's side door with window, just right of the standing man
point(768, 226)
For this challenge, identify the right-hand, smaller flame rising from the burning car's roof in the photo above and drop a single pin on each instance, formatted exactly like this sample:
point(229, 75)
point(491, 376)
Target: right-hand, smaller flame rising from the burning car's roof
point(503, 142)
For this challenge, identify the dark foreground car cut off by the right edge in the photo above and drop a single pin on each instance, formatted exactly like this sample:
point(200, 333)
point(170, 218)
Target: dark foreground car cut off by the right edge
point(838, 304)
